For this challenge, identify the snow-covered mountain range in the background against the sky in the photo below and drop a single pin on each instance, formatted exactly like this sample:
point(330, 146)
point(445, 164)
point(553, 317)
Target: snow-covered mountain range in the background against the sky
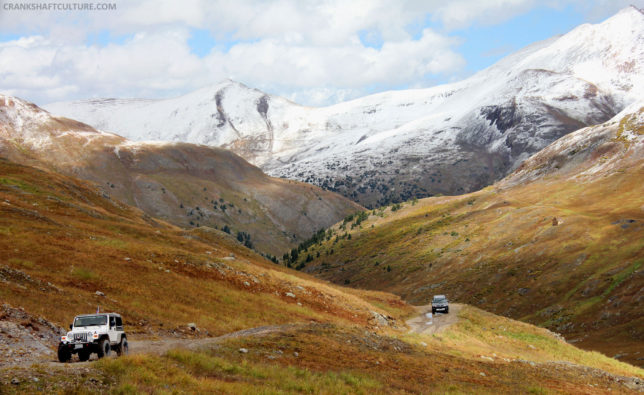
point(448, 139)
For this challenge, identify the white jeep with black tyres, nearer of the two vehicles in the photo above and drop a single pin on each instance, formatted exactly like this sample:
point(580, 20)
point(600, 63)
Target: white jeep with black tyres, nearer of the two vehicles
point(93, 333)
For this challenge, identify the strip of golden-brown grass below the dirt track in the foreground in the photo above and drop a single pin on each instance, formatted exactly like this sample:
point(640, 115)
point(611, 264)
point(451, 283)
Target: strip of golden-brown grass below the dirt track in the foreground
point(483, 353)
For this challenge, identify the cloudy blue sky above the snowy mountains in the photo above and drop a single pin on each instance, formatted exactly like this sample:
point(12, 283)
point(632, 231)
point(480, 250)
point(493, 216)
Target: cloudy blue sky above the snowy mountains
point(311, 52)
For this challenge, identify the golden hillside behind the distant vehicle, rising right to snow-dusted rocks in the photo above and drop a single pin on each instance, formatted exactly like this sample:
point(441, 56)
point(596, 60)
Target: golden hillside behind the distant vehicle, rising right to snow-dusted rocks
point(559, 243)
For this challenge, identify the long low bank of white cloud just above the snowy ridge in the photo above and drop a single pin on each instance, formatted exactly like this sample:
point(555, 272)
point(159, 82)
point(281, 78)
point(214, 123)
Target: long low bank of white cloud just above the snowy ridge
point(161, 64)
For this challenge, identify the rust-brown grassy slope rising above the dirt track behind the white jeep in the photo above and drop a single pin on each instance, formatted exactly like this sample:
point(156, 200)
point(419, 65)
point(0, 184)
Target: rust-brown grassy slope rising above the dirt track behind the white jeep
point(62, 241)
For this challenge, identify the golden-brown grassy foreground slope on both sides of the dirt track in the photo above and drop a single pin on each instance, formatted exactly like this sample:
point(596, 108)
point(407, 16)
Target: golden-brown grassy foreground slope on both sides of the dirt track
point(63, 241)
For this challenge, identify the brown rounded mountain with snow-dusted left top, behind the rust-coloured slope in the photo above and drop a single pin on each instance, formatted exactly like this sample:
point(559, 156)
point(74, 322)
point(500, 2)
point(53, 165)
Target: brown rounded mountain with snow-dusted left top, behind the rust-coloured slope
point(186, 184)
